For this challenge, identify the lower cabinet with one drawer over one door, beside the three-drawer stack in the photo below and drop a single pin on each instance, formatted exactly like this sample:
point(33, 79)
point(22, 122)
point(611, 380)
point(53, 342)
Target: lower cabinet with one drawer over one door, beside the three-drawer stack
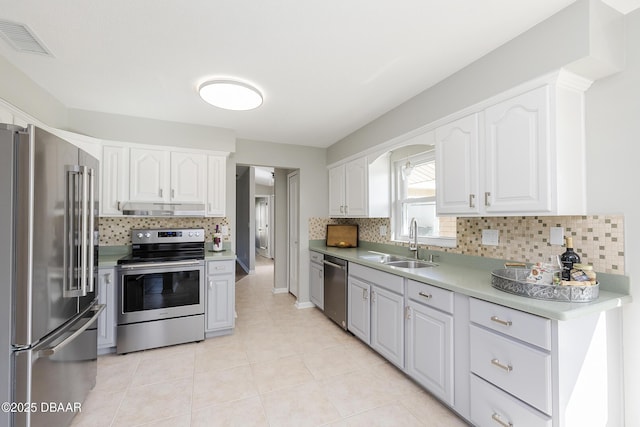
point(429, 339)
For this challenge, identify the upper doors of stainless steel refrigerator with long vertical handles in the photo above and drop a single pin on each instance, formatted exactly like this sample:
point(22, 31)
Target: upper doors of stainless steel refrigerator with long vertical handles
point(54, 246)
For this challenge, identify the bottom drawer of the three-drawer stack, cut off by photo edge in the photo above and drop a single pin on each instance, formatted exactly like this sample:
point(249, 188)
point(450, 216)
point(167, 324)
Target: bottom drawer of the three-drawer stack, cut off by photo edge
point(492, 407)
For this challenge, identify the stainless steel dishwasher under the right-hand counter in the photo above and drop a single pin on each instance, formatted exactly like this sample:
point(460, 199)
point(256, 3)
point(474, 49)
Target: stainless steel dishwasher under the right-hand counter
point(335, 290)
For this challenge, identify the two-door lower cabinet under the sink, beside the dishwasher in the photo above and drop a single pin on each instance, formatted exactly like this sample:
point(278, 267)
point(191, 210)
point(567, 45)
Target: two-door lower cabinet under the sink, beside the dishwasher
point(376, 311)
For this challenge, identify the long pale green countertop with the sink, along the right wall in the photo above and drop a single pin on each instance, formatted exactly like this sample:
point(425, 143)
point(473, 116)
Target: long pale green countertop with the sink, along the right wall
point(472, 276)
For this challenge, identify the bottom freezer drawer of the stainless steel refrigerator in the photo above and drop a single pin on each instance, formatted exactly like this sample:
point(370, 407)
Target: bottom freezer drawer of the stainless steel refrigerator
point(55, 377)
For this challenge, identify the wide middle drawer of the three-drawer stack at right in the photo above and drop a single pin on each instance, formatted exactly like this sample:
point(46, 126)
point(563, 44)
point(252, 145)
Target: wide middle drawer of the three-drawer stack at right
point(517, 368)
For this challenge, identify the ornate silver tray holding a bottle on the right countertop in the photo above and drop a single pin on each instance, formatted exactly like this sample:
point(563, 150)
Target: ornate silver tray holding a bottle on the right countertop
point(514, 281)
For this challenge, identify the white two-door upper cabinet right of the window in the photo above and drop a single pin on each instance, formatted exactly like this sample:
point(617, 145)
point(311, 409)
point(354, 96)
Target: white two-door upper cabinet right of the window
point(523, 154)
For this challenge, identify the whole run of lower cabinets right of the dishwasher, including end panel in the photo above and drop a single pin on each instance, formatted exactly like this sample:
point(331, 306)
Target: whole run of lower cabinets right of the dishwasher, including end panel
point(494, 365)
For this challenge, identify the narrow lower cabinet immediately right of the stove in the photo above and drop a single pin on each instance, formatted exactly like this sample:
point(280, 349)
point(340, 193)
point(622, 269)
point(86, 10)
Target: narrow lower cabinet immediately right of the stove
point(220, 296)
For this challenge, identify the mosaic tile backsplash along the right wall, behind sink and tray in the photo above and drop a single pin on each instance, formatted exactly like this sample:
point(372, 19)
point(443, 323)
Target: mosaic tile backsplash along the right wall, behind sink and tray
point(598, 239)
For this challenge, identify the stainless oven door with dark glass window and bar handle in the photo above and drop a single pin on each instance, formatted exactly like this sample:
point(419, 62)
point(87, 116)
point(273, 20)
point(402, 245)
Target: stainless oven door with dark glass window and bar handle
point(154, 291)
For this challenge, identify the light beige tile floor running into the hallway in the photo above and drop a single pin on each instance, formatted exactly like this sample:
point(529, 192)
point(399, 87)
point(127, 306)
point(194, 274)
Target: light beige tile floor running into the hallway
point(282, 367)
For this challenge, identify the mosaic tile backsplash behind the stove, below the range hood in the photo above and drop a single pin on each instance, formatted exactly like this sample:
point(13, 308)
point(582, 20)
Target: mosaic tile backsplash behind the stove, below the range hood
point(116, 231)
